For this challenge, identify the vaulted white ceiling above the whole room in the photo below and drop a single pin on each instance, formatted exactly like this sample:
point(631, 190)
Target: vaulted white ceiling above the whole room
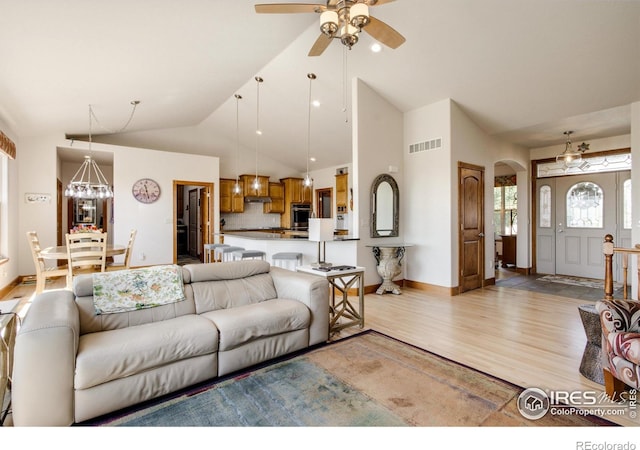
point(523, 70)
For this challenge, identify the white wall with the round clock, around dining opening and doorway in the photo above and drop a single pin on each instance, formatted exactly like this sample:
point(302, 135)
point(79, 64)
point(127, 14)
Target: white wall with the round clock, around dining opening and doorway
point(154, 222)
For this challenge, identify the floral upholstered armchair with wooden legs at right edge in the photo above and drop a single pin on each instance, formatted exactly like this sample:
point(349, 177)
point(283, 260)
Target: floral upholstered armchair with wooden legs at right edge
point(620, 321)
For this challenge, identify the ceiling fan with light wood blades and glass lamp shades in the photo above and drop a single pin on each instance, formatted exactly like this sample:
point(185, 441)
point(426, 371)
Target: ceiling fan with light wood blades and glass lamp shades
point(341, 19)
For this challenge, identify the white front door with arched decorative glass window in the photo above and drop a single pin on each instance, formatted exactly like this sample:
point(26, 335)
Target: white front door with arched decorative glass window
point(586, 210)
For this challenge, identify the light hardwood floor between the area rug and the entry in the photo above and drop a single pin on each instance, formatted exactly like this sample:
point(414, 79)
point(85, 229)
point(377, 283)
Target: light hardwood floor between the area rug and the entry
point(529, 339)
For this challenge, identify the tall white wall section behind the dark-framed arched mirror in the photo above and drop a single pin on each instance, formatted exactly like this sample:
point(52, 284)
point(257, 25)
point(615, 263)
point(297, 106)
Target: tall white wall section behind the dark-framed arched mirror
point(377, 145)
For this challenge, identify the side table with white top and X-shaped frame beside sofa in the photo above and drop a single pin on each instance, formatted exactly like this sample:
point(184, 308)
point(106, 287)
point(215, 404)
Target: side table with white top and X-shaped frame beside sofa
point(342, 312)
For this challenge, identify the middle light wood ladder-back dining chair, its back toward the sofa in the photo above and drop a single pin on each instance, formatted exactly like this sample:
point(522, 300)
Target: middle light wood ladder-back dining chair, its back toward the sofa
point(86, 253)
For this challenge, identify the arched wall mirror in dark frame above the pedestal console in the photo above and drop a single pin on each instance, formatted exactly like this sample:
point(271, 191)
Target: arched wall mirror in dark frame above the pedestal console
point(384, 206)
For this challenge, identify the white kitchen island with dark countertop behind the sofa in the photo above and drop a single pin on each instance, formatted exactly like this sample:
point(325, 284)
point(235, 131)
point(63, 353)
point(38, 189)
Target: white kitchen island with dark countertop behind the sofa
point(342, 250)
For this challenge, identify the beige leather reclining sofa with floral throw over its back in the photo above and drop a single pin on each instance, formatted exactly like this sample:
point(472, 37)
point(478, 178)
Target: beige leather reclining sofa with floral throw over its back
point(72, 365)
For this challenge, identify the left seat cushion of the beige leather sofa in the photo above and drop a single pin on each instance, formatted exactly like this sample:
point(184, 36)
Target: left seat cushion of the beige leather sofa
point(114, 354)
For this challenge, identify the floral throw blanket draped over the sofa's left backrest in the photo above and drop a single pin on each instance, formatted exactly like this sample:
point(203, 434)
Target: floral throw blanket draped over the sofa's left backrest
point(130, 290)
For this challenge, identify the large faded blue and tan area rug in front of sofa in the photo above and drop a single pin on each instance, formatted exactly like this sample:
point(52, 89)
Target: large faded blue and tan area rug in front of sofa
point(366, 380)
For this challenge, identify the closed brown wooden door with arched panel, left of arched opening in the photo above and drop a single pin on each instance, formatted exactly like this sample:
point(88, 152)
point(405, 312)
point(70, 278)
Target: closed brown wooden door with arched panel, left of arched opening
point(471, 219)
